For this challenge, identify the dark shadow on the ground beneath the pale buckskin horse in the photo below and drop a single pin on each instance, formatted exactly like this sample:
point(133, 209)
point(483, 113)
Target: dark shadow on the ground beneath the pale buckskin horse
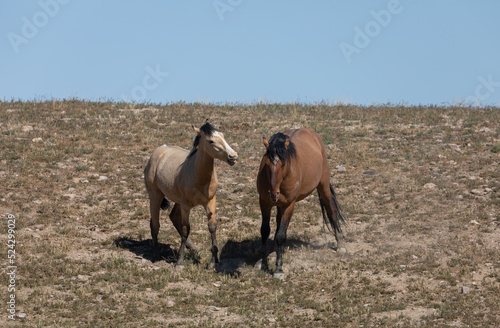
point(143, 249)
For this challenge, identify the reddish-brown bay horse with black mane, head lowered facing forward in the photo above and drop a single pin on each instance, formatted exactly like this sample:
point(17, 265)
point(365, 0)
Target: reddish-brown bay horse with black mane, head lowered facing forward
point(294, 164)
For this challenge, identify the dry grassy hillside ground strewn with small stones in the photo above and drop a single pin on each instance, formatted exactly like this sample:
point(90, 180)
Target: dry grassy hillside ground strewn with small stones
point(424, 226)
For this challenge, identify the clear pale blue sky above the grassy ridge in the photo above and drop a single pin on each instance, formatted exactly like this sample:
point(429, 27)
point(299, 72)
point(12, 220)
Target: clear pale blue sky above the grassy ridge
point(243, 51)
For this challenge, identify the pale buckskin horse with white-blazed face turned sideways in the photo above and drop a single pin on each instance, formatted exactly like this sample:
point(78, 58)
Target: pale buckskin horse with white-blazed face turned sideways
point(186, 178)
